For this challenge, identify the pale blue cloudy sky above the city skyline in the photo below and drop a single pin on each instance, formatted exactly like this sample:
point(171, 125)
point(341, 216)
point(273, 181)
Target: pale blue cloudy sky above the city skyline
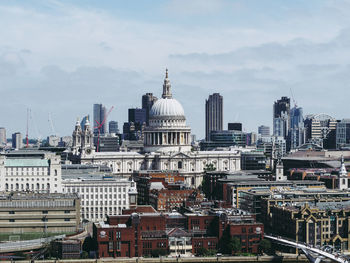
point(58, 58)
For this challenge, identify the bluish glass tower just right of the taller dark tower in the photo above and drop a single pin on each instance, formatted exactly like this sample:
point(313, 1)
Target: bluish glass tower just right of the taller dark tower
point(297, 130)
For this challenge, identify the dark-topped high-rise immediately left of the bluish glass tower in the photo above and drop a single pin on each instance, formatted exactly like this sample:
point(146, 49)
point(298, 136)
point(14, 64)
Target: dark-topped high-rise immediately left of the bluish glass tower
point(281, 117)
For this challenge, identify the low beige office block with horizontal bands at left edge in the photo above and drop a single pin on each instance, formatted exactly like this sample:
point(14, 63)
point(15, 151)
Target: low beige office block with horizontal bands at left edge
point(24, 212)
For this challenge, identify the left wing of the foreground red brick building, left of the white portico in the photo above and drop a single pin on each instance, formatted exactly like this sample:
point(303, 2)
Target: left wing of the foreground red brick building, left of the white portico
point(132, 235)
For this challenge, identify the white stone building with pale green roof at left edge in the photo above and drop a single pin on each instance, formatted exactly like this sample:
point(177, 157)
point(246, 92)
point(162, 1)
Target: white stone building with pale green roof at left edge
point(30, 171)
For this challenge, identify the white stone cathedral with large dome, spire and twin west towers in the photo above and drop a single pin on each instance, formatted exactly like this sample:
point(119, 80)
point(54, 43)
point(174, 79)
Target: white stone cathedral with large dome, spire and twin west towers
point(167, 146)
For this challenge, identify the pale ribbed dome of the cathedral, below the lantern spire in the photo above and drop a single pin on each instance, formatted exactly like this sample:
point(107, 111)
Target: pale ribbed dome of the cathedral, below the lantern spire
point(167, 107)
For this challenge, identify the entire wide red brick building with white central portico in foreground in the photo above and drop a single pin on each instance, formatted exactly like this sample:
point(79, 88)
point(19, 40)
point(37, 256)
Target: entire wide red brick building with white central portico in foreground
point(144, 232)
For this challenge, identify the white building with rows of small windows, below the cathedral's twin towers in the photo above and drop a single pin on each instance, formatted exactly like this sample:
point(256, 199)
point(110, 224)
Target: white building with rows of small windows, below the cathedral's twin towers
point(101, 196)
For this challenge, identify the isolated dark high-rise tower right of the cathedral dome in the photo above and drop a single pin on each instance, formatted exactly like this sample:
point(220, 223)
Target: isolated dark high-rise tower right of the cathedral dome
point(213, 114)
